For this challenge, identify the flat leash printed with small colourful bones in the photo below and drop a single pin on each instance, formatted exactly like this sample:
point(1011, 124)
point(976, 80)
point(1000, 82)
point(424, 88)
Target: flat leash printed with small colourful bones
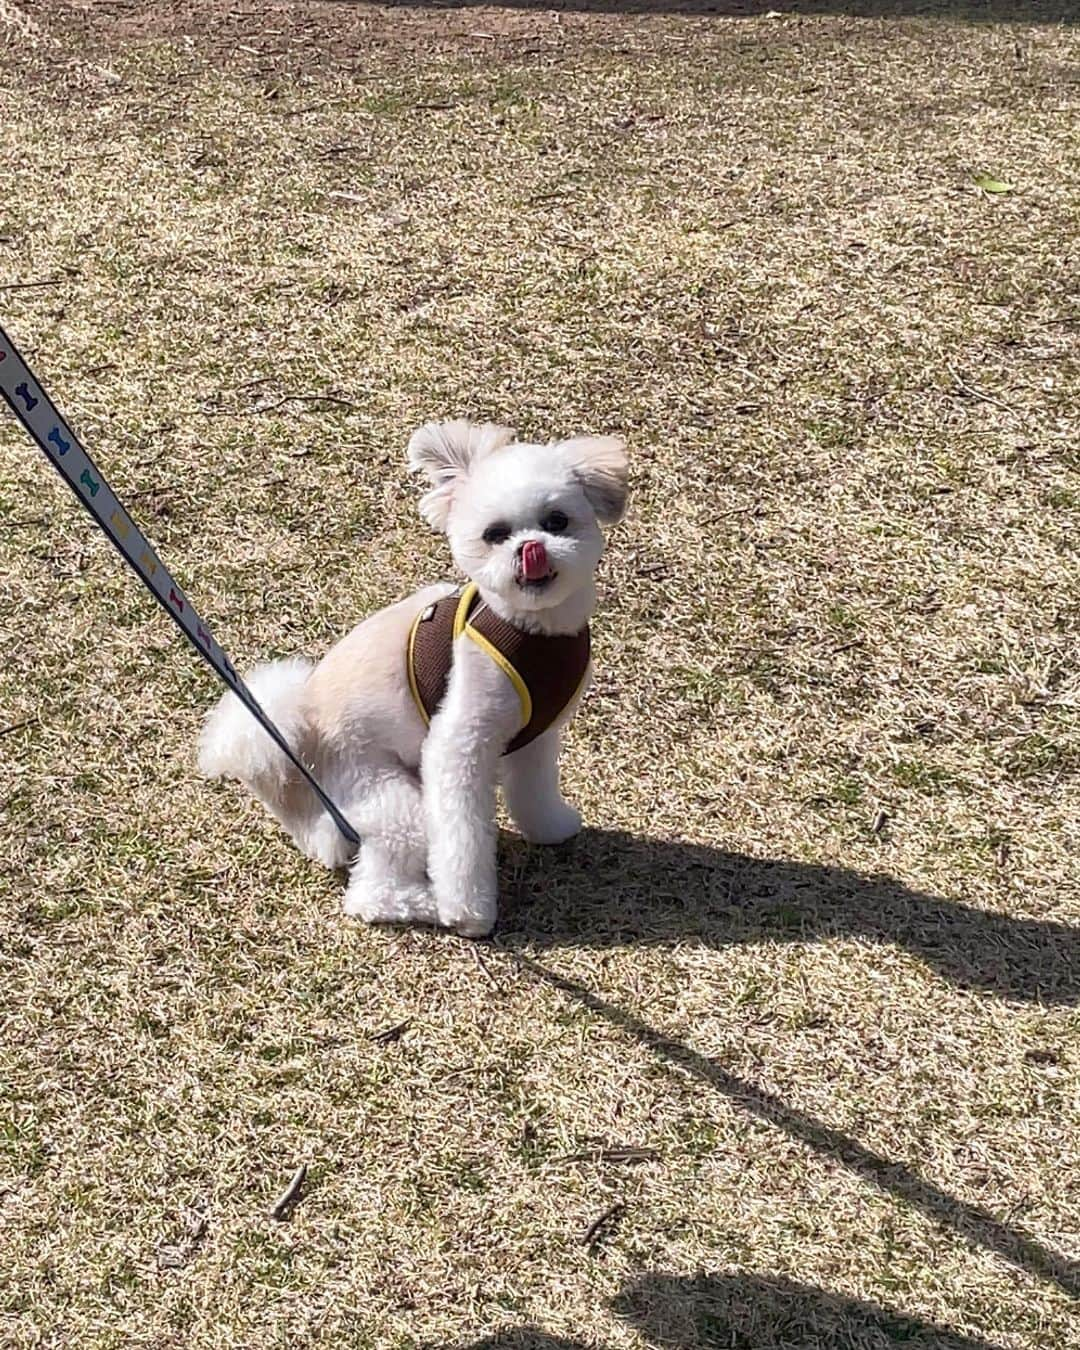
point(36, 411)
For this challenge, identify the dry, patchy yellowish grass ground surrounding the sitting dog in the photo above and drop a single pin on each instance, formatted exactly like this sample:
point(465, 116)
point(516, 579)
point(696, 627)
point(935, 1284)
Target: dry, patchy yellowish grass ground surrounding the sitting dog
point(819, 958)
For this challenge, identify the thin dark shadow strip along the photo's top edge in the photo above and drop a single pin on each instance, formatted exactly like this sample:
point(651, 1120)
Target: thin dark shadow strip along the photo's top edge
point(966, 11)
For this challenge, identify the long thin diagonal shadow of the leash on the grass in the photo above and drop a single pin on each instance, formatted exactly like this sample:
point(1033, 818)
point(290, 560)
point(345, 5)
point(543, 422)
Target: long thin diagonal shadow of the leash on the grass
point(974, 1225)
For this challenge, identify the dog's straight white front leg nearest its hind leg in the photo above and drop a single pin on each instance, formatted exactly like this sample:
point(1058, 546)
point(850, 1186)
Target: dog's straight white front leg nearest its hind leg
point(480, 715)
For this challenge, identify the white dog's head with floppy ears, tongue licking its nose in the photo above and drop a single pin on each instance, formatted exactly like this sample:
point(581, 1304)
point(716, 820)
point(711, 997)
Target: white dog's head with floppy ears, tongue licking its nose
point(523, 520)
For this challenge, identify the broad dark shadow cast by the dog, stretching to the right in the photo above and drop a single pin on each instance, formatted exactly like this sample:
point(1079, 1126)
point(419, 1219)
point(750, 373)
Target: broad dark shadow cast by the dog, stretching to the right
point(607, 889)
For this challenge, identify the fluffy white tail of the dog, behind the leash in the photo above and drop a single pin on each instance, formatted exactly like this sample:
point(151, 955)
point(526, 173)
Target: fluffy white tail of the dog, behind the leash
point(234, 746)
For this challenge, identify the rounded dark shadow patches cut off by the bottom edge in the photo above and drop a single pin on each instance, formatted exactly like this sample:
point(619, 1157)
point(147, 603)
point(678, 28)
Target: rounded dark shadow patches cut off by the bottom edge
point(749, 1313)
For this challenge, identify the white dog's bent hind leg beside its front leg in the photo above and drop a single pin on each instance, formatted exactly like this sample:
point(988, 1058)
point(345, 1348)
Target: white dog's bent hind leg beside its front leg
point(389, 880)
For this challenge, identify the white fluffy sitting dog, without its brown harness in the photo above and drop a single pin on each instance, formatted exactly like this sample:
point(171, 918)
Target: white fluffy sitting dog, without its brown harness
point(523, 523)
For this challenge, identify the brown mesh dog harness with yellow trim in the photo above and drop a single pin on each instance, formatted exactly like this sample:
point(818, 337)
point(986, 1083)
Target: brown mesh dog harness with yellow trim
point(546, 672)
